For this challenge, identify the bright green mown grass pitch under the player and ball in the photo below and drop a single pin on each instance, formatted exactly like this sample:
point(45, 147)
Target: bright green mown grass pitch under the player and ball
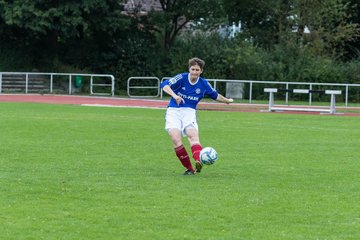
point(73, 172)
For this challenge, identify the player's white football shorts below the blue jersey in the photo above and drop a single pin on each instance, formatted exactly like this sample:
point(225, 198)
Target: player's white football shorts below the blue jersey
point(180, 118)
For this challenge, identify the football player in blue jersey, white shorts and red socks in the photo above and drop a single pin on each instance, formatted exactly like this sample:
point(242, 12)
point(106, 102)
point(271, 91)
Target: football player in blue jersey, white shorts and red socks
point(186, 91)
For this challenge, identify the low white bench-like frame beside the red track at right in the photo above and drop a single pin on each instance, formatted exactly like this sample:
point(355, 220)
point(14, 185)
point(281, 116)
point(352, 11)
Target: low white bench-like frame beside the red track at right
point(330, 110)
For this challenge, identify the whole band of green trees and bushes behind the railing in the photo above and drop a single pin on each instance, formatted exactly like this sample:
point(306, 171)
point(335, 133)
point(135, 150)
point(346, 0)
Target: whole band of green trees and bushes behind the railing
point(279, 39)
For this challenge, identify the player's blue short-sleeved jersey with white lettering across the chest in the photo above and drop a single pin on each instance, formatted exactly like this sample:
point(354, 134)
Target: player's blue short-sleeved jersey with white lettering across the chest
point(192, 93)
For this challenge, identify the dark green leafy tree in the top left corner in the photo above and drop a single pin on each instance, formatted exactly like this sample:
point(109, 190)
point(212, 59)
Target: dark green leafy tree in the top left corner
point(79, 32)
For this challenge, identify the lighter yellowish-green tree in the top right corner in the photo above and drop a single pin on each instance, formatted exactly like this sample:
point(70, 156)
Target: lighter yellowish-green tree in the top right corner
point(330, 25)
